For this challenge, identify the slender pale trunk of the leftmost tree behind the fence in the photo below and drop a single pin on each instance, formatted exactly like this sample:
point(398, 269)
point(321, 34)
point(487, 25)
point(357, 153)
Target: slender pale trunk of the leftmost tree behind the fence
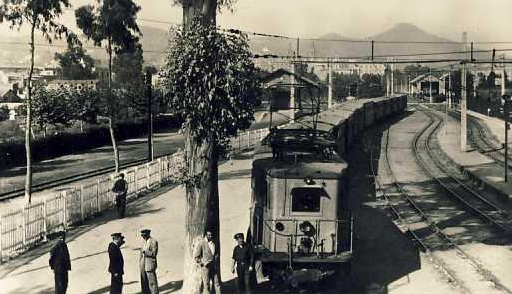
point(28, 121)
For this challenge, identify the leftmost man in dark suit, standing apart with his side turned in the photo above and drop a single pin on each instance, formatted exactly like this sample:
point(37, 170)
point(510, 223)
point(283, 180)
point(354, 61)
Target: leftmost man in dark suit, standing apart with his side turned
point(60, 263)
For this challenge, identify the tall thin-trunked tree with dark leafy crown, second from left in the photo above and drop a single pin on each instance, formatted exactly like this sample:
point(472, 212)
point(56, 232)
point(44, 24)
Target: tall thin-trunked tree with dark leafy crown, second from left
point(112, 22)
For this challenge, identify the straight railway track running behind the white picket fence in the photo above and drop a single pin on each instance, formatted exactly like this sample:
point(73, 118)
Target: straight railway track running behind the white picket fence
point(66, 180)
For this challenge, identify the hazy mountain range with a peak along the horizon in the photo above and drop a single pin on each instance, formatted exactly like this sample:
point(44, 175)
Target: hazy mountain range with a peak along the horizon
point(15, 51)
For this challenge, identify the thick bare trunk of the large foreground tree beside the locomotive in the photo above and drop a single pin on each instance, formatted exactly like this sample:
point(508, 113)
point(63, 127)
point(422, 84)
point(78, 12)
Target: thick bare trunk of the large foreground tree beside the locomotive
point(202, 209)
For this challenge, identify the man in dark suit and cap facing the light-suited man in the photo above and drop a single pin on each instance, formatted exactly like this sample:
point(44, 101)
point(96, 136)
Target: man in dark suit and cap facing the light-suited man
point(116, 263)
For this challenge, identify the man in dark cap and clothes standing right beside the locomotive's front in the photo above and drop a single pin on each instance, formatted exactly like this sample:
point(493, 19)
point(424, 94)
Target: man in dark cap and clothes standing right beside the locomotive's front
point(242, 262)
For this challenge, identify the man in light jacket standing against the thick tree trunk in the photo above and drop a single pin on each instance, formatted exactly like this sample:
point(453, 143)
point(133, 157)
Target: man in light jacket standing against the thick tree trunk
point(207, 256)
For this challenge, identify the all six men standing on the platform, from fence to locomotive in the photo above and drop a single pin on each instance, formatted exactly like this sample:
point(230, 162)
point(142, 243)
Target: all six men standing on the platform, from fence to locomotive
point(206, 254)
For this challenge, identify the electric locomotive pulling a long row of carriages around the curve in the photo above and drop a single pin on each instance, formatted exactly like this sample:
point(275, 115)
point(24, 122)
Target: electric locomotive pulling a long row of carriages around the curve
point(301, 227)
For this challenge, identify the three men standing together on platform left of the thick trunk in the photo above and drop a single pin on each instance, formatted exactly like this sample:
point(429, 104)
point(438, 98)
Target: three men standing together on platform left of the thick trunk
point(60, 263)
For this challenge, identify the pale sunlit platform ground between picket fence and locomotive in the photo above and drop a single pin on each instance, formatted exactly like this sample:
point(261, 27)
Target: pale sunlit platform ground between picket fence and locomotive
point(162, 211)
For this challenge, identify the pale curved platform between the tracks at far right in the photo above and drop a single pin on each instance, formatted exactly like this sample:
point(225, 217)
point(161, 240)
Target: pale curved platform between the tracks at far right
point(476, 165)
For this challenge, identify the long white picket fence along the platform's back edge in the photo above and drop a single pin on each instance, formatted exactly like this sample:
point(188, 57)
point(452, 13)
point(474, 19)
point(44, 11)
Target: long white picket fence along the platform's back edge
point(29, 226)
